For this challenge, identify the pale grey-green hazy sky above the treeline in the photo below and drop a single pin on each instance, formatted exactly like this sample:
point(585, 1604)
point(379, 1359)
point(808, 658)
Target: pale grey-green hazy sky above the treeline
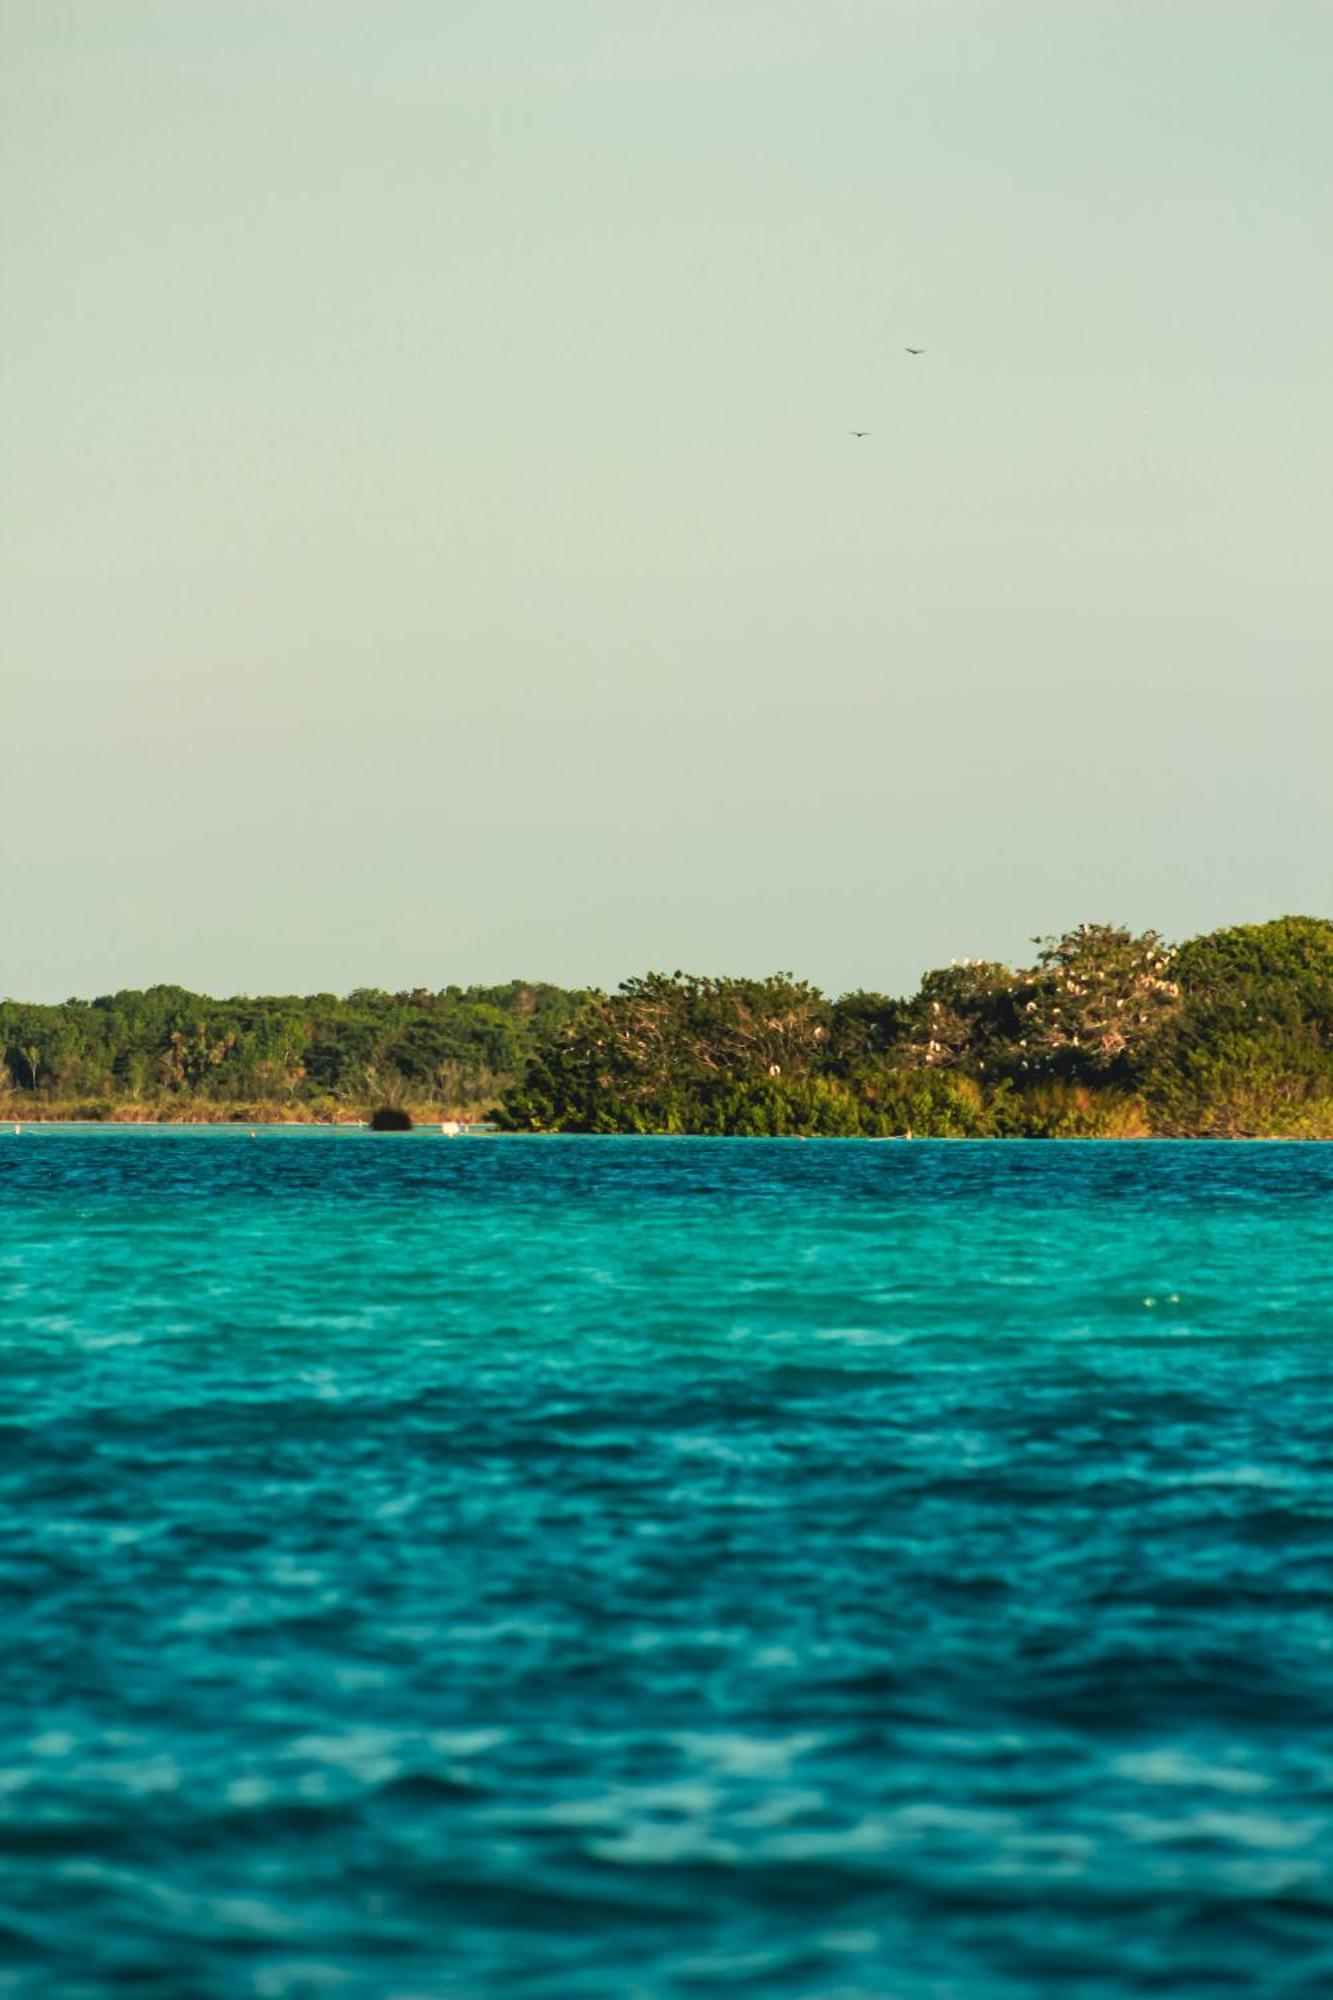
point(433, 547)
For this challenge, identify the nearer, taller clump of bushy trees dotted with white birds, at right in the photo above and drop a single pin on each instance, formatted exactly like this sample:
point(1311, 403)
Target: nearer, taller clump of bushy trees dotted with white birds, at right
point(1106, 1035)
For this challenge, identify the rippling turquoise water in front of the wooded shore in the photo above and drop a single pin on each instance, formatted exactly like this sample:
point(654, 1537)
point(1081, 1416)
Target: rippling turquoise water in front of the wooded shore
point(663, 1569)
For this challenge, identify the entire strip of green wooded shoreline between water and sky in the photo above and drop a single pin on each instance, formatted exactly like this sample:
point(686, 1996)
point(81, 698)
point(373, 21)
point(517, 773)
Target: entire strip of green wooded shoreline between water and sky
point(1104, 1035)
